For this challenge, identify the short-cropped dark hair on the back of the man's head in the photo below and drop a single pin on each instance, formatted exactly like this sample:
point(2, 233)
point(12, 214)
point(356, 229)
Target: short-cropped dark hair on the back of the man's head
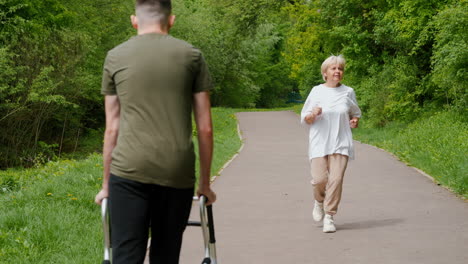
point(150, 11)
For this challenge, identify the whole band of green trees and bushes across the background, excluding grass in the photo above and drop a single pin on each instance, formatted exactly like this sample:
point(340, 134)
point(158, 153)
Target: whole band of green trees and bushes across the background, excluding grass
point(406, 58)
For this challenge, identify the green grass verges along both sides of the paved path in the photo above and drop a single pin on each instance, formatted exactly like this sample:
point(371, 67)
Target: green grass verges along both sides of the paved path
point(47, 214)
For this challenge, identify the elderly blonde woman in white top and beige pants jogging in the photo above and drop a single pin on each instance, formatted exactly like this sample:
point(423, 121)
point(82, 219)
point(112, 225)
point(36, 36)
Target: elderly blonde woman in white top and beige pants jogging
point(330, 111)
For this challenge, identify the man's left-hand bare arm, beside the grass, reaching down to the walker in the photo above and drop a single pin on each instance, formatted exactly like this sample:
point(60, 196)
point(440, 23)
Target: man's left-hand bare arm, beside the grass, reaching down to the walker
point(112, 108)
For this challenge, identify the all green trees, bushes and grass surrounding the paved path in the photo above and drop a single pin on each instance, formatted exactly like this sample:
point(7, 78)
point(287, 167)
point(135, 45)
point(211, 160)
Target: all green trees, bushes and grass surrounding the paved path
point(406, 59)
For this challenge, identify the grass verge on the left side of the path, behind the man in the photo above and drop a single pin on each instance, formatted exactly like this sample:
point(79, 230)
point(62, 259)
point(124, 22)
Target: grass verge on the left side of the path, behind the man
point(47, 214)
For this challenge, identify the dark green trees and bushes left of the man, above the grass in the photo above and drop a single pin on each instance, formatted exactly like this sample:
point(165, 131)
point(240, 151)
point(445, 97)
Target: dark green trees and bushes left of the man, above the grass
point(51, 55)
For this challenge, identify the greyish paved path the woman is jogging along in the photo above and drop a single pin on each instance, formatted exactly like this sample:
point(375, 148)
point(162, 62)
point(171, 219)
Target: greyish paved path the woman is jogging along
point(389, 214)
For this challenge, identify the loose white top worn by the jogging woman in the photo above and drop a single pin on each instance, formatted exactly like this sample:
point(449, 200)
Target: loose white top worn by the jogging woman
point(331, 133)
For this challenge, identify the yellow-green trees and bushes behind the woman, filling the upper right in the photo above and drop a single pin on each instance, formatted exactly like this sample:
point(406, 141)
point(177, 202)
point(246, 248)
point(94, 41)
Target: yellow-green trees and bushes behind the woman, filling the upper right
point(405, 57)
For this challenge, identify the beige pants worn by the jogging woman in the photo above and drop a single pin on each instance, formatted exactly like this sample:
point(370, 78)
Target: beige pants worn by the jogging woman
point(327, 179)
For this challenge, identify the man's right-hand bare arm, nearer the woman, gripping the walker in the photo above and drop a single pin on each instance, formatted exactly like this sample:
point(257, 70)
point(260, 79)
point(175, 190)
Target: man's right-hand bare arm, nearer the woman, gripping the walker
point(202, 111)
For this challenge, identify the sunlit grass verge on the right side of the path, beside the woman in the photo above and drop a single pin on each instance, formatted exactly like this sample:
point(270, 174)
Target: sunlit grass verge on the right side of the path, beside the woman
point(437, 145)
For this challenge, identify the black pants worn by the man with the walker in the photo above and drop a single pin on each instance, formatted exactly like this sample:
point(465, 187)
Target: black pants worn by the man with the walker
point(134, 206)
